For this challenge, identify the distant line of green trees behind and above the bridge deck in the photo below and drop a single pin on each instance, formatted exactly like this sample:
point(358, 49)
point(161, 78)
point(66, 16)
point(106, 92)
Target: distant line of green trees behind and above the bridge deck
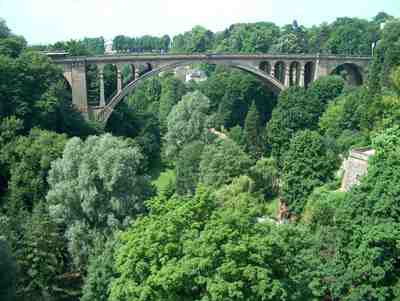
point(347, 36)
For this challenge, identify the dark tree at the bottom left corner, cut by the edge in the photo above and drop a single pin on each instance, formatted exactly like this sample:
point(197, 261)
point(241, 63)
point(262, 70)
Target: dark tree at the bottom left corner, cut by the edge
point(8, 270)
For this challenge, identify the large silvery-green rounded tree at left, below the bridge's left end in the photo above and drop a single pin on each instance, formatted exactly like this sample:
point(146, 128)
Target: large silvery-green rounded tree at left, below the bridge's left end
point(94, 188)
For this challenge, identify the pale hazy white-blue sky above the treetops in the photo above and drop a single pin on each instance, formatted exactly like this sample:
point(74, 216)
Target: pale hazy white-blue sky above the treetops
point(48, 21)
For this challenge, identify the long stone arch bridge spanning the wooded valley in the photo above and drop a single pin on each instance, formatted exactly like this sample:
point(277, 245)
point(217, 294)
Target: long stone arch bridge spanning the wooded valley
point(277, 71)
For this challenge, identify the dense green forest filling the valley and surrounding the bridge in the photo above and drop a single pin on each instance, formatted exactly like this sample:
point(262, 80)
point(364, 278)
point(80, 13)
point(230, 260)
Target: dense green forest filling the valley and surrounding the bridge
point(177, 196)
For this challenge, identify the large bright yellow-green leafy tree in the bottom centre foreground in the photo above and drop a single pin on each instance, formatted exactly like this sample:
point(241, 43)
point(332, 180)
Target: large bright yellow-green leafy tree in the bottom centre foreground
point(192, 249)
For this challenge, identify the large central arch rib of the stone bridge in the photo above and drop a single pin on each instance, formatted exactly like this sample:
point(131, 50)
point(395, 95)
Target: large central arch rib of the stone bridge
point(102, 114)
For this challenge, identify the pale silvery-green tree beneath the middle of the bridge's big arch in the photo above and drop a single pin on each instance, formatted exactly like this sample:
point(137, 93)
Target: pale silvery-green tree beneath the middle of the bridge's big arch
point(186, 122)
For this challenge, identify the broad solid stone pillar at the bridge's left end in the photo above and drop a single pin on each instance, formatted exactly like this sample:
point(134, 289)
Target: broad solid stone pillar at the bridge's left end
point(78, 86)
